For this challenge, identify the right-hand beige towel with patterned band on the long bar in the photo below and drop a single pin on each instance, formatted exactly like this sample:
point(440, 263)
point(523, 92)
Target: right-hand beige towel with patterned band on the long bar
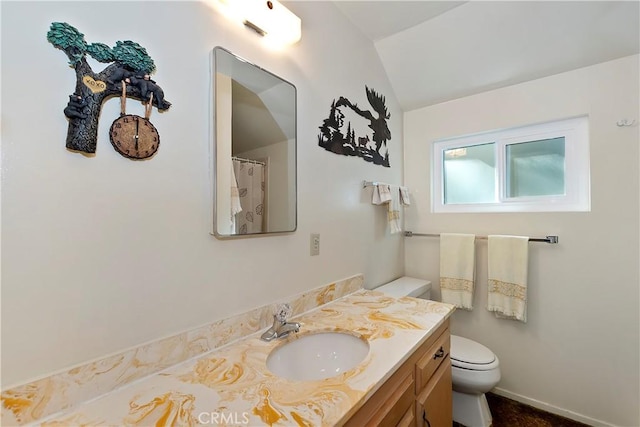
point(508, 265)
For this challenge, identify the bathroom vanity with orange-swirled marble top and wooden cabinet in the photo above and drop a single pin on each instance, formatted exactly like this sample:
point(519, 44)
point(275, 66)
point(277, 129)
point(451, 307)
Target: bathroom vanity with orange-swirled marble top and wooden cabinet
point(404, 378)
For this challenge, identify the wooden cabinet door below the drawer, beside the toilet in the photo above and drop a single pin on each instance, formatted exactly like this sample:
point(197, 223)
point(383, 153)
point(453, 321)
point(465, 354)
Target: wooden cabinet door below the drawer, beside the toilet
point(434, 404)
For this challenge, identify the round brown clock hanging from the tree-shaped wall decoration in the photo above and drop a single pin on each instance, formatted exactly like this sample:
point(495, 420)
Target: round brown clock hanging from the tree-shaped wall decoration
point(134, 137)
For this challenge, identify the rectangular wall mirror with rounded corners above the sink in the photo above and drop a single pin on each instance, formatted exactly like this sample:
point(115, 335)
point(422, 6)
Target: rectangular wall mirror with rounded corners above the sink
point(254, 149)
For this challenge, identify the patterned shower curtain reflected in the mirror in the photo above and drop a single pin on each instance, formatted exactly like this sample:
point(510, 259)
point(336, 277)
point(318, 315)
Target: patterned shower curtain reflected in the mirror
point(249, 208)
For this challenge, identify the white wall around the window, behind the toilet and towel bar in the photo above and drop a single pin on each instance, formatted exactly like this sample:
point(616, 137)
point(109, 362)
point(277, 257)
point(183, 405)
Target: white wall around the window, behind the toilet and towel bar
point(579, 351)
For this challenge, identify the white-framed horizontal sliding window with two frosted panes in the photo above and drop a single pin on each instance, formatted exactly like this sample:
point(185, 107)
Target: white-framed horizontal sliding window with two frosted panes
point(537, 168)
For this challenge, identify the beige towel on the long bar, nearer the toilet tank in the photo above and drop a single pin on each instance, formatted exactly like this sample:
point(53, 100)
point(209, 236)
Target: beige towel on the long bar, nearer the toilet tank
point(457, 269)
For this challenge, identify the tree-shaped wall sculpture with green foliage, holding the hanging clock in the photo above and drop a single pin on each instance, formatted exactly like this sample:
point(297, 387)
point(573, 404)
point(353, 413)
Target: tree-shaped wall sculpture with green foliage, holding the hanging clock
point(129, 62)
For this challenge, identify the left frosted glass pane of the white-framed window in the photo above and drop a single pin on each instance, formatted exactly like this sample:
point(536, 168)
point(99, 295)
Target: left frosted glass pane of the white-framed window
point(470, 174)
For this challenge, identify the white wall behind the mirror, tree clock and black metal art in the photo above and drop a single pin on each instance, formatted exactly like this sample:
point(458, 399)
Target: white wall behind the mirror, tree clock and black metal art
point(100, 254)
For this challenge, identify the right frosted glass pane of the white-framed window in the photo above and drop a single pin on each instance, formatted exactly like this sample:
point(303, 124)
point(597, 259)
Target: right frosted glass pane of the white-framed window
point(536, 168)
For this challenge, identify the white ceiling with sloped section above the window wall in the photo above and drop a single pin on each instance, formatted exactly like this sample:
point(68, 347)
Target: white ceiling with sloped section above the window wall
point(435, 51)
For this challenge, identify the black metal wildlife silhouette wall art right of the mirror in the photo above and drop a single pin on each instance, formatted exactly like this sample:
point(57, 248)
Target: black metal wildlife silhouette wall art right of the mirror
point(366, 134)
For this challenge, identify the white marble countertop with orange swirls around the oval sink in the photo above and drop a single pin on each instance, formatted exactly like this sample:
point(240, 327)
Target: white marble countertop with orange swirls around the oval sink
point(232, 386)
